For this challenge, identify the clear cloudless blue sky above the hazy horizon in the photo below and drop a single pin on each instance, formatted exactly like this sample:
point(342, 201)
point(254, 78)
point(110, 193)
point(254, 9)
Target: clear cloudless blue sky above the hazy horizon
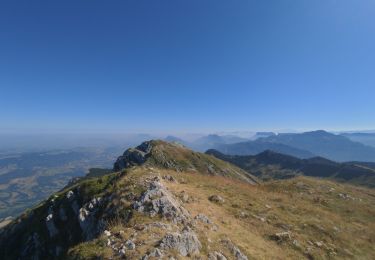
point(187, 65)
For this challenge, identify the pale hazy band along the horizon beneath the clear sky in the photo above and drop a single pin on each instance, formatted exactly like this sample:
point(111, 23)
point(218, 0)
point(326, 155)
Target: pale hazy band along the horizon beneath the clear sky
point(42, 141)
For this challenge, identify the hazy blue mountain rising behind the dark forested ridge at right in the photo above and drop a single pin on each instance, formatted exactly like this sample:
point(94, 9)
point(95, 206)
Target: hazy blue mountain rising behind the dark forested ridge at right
point(305, 145)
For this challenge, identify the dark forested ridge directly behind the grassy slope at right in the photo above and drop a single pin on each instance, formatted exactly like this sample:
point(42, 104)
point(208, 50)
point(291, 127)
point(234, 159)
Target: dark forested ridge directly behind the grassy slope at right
point(271, 165)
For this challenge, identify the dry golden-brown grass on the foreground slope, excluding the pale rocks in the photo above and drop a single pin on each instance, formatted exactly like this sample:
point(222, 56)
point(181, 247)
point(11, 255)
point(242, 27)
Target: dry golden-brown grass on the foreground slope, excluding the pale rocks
point(310, 208)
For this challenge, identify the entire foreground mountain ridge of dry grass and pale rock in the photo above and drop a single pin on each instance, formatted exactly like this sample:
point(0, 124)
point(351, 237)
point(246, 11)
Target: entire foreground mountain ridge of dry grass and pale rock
point(164, 201)
